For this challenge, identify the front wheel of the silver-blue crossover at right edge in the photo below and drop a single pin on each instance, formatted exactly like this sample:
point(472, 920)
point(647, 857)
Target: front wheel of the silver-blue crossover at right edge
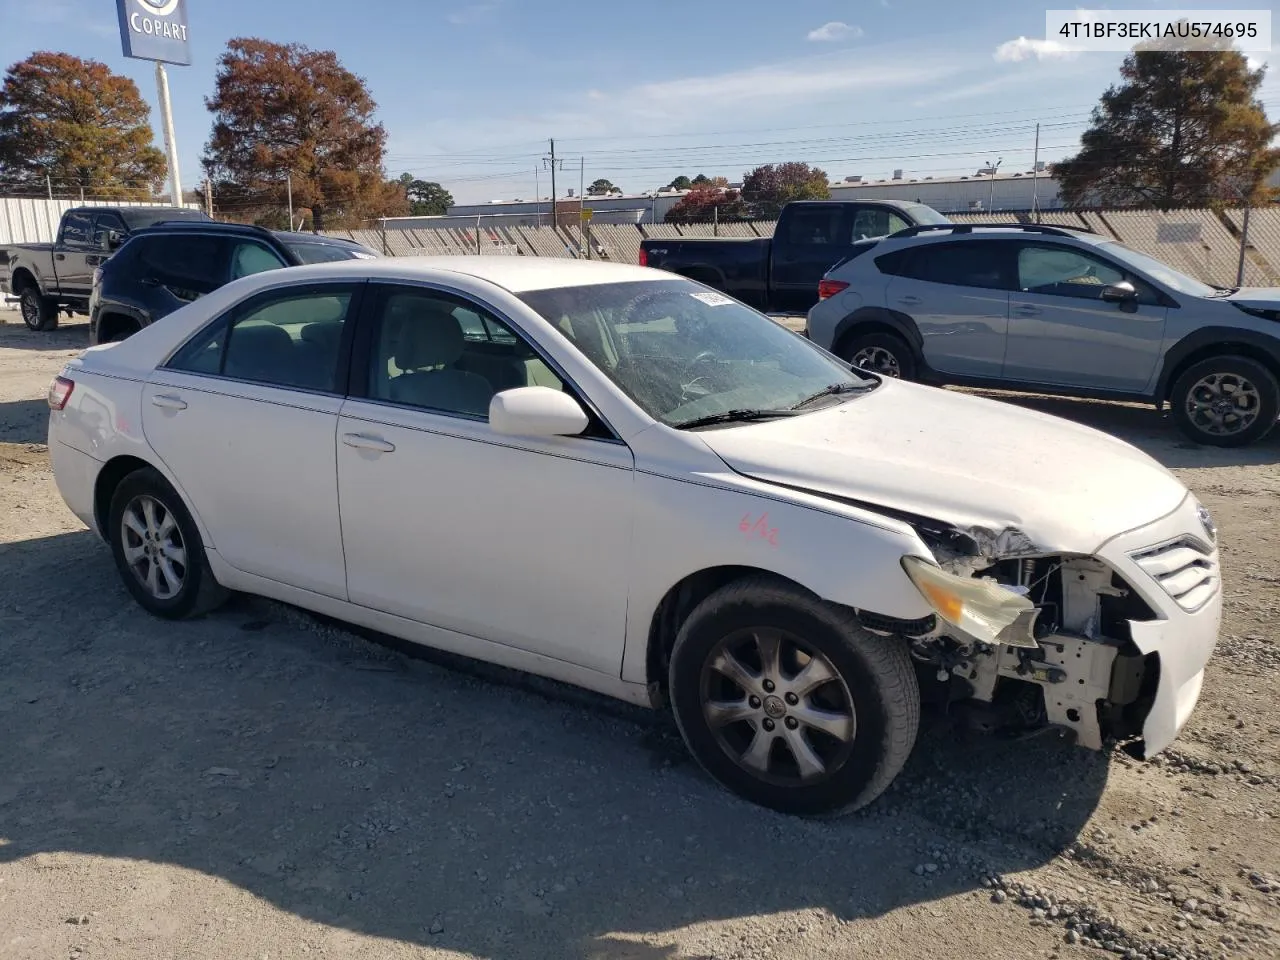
point(1227, 401)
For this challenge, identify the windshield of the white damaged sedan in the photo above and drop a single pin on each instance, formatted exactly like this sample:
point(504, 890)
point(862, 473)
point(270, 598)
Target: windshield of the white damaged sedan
point(685, 353)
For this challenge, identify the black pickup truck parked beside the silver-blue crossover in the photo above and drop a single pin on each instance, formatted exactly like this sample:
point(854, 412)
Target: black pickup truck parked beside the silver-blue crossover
point(781, 273)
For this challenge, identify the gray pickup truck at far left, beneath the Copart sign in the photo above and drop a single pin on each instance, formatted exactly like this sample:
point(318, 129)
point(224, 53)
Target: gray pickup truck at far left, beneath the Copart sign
point(49, 280)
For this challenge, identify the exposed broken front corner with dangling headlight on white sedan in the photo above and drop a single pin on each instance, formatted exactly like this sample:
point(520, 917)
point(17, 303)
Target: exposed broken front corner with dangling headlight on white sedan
point(1027, 639)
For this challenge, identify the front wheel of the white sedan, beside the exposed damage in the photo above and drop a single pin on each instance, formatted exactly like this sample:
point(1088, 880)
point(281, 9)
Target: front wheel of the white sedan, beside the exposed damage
point(788, 702)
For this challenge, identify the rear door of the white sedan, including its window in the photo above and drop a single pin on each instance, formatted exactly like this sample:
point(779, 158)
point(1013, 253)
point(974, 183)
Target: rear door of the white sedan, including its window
point(245, 418)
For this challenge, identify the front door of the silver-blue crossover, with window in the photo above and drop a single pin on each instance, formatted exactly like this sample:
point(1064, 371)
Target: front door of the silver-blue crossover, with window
point(1063, 333)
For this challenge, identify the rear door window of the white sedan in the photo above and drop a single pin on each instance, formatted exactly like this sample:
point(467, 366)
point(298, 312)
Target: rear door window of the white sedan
point(290, 339)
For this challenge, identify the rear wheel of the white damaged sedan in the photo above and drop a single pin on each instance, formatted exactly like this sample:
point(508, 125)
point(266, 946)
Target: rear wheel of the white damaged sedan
point(158, 550)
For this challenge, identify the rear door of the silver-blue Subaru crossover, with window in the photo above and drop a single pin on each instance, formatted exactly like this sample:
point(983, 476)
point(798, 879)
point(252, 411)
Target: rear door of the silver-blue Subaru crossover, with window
point(958, 295)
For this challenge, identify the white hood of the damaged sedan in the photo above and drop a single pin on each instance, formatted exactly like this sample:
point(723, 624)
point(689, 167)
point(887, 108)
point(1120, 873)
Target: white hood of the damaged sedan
point(1018, 482)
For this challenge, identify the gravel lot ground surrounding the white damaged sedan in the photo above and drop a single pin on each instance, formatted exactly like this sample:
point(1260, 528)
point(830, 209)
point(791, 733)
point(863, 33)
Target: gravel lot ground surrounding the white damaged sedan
point(264, 785)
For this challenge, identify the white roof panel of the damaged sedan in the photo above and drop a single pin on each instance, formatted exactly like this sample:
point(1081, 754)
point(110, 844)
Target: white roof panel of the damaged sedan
point(516, 275)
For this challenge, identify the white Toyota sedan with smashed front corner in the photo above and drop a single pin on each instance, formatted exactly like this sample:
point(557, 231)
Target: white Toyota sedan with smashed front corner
point(625, 481)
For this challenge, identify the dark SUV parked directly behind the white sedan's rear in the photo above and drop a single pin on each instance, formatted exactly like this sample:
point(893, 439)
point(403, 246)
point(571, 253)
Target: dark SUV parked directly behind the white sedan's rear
point(166, 267)
